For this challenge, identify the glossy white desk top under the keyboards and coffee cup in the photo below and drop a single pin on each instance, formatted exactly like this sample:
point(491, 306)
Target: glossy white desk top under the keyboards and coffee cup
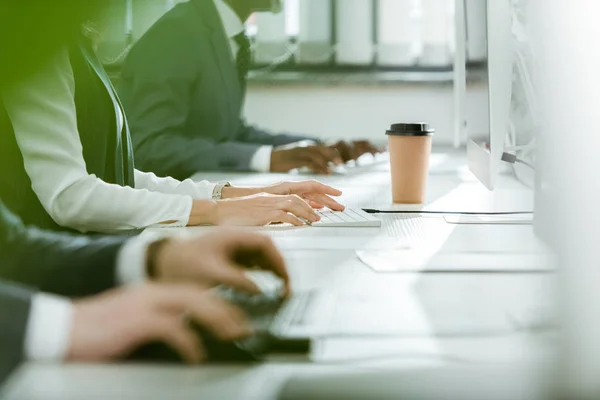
point(449, 189)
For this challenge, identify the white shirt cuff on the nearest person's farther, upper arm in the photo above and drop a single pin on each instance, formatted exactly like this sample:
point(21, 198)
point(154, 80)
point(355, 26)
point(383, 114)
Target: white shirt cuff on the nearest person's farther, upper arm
point(131, 260)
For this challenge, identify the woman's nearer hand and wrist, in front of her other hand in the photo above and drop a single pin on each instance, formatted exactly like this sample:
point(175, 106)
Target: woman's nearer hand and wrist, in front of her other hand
point(262, 209)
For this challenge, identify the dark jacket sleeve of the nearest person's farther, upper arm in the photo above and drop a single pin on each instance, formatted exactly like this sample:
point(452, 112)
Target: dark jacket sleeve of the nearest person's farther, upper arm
point(65, 264)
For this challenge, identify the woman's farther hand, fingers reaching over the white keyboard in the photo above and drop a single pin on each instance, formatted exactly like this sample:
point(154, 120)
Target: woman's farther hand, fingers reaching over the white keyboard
point(315, 193)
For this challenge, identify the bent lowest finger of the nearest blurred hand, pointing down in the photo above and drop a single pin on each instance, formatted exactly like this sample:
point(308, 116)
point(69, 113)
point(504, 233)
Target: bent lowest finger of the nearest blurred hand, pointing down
point(172, 330)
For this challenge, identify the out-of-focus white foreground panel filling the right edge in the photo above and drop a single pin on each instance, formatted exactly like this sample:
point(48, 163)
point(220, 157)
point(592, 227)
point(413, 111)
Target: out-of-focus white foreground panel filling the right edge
point(568, 179)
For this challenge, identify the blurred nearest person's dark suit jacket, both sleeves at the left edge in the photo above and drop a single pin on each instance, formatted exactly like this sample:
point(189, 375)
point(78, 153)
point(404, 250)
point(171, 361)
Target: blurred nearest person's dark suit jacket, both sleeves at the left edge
point(70, 265)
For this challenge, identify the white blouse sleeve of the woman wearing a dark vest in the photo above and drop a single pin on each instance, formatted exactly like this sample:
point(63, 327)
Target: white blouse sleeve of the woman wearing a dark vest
point(43, 116)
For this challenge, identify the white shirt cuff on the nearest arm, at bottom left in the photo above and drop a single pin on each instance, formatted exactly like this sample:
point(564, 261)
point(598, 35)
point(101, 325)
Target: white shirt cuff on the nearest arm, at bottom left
point(48, 328)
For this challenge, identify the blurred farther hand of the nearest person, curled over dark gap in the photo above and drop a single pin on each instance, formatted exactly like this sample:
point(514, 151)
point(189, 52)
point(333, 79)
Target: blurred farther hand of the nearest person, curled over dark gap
point(219, 258)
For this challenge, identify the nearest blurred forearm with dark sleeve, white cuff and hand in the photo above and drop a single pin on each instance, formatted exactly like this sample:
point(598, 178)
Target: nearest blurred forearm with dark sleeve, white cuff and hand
point(42, 327)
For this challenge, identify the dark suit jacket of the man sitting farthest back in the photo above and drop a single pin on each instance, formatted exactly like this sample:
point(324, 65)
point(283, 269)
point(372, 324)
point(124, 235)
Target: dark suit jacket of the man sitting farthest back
point(183, 98)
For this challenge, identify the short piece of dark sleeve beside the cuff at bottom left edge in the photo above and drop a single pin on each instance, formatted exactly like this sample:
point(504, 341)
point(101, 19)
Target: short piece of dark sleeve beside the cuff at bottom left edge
point(15, 304)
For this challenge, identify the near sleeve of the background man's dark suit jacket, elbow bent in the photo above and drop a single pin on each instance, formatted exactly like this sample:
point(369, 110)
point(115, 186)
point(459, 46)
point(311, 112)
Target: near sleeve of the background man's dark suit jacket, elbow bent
point(157, 97)
